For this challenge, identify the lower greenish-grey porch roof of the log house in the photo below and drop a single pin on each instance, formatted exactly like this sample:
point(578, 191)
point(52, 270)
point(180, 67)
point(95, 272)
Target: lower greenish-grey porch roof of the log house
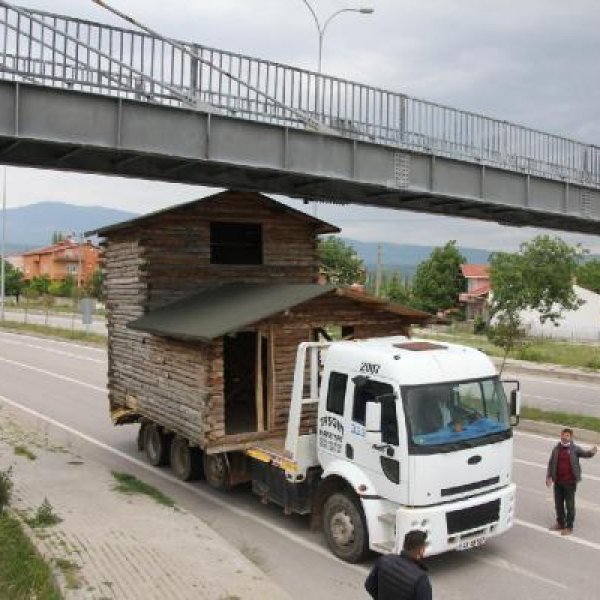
point(216, 311)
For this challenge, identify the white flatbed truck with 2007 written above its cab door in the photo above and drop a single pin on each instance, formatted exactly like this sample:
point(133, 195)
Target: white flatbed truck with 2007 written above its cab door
point(409, 434)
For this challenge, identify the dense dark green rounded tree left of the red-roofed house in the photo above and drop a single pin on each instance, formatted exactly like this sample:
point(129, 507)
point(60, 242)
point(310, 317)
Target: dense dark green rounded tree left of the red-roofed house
point(437, 282)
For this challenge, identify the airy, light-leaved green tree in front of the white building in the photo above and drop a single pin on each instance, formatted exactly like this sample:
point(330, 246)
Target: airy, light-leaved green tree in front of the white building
point(539, 277)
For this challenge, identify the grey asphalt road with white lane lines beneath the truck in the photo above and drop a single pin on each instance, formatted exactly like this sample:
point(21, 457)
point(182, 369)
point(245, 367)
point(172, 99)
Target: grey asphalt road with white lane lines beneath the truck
point(59, 386)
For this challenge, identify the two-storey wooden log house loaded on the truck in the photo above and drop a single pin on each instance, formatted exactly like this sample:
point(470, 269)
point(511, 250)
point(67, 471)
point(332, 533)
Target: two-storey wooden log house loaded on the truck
point(207, 303)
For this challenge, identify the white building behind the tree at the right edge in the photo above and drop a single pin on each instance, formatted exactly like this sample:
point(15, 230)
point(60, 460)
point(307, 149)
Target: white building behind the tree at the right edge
point(577, 325)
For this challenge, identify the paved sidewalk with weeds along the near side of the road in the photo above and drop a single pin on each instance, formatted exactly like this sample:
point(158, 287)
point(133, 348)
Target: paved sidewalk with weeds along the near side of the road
point(111, 545)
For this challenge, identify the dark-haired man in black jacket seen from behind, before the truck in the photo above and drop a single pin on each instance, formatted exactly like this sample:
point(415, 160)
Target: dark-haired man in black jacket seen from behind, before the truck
point(401, 577)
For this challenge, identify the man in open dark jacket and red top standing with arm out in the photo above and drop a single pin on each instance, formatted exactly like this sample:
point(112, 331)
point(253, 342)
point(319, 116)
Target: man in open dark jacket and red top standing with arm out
point(564, 471)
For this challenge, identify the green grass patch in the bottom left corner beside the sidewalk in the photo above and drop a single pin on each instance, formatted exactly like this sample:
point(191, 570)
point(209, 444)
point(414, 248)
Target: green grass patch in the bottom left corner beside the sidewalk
point(23, 573)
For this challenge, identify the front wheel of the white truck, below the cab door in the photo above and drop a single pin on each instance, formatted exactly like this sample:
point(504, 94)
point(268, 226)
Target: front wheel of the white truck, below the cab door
point(345, 528)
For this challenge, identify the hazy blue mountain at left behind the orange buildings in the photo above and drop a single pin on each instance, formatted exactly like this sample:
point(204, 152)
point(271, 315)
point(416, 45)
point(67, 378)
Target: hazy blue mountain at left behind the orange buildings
point(32, 226)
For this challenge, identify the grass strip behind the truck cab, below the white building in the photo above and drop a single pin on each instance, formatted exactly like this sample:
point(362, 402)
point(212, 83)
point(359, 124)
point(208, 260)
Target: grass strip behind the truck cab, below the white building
point(535, 350)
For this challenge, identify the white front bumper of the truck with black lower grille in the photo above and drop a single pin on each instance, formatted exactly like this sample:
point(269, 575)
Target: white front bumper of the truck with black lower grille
point(459, 525)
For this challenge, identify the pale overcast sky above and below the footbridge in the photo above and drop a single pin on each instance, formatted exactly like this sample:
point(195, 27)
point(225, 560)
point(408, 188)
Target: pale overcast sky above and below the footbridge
point(533, 62)
